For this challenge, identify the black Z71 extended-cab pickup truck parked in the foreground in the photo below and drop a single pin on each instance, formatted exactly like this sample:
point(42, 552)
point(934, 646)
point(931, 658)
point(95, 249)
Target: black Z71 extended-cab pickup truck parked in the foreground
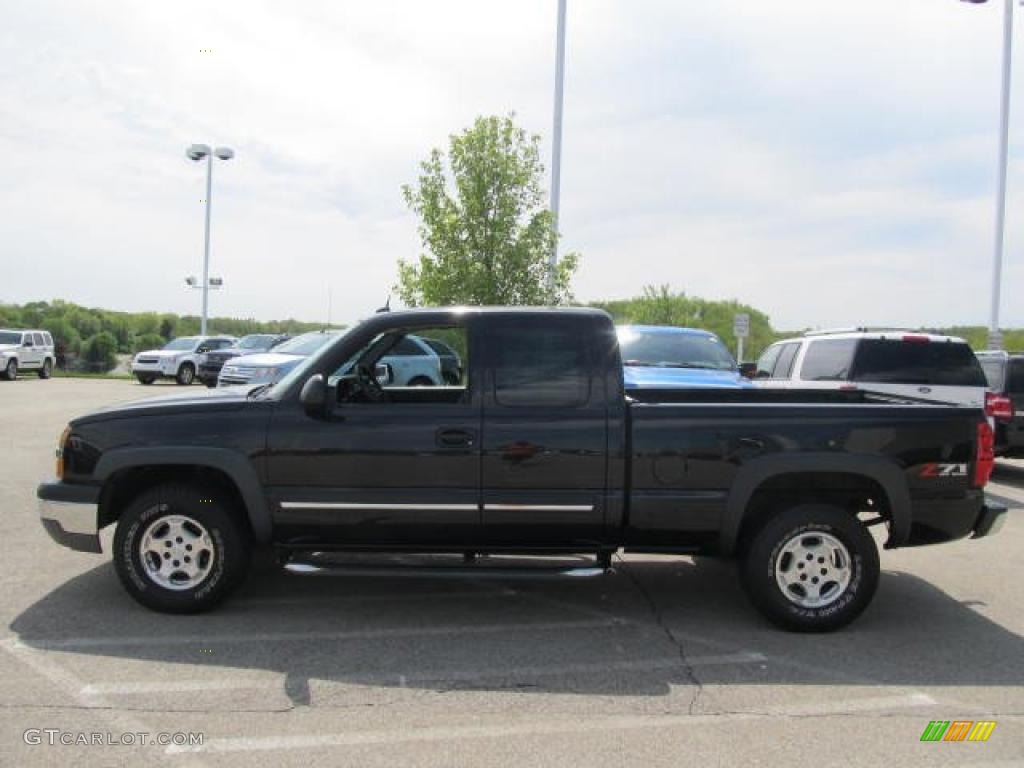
point(536, 450)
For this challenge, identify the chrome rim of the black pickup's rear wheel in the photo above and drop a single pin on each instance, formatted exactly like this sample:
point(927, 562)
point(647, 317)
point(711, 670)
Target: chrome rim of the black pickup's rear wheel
point(814, 570)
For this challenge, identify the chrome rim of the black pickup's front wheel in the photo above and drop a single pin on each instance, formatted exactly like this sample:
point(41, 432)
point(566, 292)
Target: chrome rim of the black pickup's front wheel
point(177, 552)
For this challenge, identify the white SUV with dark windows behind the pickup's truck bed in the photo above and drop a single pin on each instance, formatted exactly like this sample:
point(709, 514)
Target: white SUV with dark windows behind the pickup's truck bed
point(924, 367)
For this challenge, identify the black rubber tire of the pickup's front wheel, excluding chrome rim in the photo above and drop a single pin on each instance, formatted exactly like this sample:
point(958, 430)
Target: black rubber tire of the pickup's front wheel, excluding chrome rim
point(227, 537)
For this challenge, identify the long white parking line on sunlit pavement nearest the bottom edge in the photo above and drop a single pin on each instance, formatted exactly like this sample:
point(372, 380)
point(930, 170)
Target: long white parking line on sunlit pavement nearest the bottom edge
point(548, 727)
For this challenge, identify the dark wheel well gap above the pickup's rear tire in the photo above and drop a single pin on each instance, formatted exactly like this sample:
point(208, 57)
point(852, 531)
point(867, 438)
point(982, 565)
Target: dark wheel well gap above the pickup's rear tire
point(855, 493)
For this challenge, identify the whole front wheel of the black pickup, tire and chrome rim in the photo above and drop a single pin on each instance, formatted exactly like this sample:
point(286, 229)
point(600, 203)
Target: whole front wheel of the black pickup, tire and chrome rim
point(181, 549)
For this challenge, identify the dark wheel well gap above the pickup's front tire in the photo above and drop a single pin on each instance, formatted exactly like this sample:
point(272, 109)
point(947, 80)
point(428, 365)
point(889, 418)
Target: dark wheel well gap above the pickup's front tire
point(121, 488)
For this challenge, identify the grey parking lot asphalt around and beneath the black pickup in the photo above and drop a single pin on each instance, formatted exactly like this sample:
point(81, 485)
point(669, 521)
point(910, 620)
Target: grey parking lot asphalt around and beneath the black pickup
point(661, 663)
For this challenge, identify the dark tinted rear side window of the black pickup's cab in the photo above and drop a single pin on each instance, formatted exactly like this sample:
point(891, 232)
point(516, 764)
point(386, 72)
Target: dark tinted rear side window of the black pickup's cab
point(540, 366)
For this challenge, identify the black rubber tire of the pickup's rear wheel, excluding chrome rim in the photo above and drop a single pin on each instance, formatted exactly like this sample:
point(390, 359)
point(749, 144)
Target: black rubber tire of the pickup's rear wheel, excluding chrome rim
point(769, 552)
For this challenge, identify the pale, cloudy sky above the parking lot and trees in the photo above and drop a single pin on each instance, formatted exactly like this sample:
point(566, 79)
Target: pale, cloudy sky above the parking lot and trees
point(832, 164)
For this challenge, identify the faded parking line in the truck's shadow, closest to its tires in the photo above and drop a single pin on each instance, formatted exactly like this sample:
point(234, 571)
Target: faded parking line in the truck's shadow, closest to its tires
point(206, 641)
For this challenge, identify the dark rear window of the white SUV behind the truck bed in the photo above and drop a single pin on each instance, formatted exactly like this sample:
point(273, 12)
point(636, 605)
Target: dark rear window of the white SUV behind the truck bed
point(934, 363)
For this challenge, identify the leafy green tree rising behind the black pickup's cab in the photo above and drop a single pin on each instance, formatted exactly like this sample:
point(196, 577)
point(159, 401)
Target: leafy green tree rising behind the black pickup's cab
point(485, 225)
